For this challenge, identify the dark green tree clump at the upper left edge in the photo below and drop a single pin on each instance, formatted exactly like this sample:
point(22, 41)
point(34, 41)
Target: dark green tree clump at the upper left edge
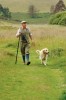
point(4, 12)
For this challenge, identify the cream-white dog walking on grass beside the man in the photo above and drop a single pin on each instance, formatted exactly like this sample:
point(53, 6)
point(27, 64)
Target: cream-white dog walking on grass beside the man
point(43, 54)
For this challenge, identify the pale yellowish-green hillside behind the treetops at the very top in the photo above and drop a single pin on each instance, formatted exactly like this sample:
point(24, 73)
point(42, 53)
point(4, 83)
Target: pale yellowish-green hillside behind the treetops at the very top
point(22, 5)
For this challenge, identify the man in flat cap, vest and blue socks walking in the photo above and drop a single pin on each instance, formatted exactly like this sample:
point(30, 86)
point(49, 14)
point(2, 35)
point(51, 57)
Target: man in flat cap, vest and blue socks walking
point(24, 34)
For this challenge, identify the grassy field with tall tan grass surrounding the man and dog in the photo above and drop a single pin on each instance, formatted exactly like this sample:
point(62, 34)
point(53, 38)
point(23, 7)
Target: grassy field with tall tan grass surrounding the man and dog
point(34, 82)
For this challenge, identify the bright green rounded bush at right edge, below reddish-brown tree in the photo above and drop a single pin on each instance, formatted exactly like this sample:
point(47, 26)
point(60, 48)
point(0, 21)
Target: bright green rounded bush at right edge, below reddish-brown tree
point(58, 19)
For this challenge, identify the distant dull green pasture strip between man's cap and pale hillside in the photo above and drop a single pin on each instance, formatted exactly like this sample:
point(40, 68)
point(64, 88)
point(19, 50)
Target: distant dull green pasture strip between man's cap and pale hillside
point(41, 18)
